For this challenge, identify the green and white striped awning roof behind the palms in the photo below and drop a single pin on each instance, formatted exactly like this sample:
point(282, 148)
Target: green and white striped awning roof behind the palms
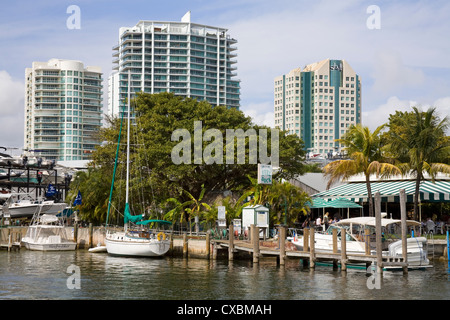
point(439, 191)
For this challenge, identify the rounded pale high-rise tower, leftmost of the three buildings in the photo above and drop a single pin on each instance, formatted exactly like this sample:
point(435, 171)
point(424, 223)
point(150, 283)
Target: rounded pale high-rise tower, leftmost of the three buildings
point(63, 109)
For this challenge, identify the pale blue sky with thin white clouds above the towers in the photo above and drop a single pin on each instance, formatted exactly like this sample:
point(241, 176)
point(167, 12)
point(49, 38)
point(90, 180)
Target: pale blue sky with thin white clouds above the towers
point(400, 49)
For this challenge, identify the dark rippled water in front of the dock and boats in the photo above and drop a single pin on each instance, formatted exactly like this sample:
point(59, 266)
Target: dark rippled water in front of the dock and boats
point(30, 275)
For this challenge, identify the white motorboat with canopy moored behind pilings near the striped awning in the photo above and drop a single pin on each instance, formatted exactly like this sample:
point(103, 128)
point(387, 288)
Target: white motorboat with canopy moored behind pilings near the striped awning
point(416, 247)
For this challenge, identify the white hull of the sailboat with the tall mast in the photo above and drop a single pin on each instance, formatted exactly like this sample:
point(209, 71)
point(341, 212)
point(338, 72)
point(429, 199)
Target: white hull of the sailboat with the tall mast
point(122, 245)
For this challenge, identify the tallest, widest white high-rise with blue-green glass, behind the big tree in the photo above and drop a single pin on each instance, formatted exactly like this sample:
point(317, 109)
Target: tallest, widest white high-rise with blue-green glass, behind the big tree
point(187, 59)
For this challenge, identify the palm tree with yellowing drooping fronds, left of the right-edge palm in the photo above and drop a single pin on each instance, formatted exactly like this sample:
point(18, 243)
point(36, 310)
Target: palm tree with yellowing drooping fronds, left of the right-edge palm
point(365, 152)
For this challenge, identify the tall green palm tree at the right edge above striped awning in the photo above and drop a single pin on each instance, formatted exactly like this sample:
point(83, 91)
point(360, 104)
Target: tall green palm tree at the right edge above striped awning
point(419, 141)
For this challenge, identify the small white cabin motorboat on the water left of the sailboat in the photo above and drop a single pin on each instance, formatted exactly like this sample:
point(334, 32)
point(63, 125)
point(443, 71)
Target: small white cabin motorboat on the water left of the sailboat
point(47, 233)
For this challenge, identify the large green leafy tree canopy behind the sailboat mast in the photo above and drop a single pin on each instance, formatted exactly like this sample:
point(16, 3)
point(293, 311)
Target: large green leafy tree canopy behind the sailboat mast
point(154, 171)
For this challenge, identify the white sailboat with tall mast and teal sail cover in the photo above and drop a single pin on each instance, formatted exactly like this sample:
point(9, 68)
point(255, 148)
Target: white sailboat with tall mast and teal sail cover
point(138, 241)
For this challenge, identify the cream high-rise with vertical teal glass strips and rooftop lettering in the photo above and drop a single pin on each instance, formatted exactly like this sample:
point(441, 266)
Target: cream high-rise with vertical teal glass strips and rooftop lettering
point(318, 103)
